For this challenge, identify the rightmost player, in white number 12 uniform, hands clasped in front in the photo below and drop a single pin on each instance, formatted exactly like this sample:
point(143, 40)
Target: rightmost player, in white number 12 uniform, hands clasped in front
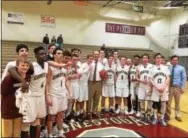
point(160, 78)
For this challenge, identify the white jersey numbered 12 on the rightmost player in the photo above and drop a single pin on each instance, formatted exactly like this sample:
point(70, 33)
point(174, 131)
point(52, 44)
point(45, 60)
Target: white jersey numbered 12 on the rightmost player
point(159, 74)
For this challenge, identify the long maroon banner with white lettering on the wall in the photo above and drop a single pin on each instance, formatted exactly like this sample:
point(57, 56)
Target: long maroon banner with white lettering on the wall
point(125, 29)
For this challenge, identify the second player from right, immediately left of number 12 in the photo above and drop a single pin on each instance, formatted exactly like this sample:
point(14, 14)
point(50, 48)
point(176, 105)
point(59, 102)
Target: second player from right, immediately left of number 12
point(144, 87)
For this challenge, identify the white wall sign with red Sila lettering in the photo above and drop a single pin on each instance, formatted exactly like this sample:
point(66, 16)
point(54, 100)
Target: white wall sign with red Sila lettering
point(47, 21)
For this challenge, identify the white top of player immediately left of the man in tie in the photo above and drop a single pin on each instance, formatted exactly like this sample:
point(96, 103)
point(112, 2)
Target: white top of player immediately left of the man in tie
point(84, 71)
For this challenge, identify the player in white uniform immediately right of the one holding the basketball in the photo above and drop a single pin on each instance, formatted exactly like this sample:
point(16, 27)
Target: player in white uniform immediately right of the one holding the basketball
point(122, 88)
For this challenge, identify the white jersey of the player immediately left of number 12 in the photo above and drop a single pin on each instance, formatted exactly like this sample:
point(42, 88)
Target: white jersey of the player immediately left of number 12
point(144, 72)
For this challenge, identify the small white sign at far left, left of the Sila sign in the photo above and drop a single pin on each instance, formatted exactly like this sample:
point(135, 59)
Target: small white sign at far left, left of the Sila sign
point(15, 18)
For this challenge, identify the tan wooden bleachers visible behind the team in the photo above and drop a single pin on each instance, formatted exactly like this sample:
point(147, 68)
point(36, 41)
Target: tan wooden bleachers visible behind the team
point(9, 53)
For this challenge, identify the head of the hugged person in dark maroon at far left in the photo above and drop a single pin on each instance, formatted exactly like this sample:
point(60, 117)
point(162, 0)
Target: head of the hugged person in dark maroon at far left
point(22, 66)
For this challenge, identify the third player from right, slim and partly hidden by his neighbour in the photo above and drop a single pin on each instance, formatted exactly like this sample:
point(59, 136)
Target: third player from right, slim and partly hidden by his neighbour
point(134, 84)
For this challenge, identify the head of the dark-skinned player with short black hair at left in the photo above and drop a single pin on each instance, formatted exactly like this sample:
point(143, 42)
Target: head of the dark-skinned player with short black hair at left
point(40, 54)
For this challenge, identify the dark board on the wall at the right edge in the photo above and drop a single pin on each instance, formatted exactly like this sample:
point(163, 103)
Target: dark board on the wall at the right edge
point(183, 36)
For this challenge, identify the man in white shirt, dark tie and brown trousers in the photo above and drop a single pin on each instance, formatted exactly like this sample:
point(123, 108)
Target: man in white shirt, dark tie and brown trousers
point(95, 85)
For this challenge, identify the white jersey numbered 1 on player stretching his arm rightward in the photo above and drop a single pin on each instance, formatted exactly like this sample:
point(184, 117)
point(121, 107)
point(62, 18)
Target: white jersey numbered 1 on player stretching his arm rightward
point(58, 82)
